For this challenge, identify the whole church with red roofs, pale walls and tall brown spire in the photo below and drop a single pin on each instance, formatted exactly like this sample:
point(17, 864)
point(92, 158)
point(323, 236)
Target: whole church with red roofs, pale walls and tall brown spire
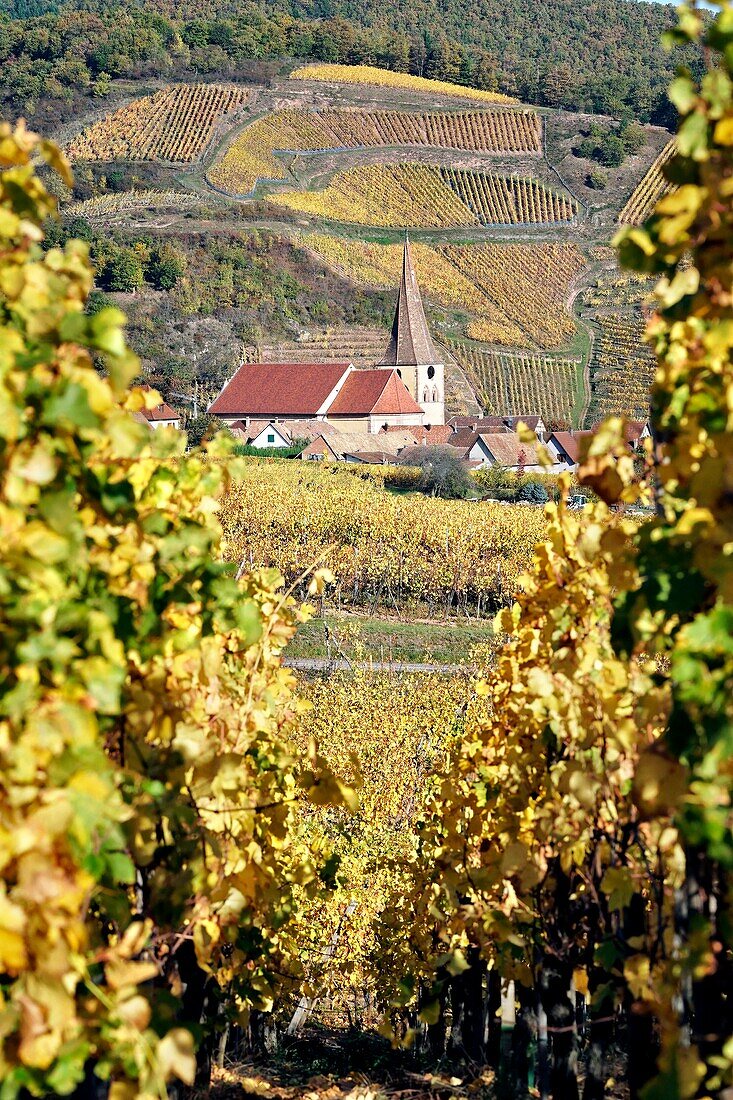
point(404, 390)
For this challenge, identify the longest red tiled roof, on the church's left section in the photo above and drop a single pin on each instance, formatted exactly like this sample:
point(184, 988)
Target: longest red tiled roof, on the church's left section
point(279, 390)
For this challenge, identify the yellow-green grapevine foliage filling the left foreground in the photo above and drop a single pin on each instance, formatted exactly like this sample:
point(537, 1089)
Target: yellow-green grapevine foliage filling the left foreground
point(148, 789)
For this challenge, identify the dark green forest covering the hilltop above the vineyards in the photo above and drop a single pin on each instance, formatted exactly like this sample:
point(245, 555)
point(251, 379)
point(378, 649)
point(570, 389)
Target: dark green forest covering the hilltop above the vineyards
point(604, 58)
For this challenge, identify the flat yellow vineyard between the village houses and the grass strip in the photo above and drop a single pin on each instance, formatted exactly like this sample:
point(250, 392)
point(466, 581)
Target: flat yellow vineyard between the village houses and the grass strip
point(425, 553)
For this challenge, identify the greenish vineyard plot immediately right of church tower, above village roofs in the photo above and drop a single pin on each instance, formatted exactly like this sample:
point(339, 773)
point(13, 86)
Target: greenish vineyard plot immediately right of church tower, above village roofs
point(510, 384)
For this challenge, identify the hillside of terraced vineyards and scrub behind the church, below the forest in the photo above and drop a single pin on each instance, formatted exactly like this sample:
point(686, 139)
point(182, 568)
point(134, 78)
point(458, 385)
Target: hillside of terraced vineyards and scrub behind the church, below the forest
point(267, 217)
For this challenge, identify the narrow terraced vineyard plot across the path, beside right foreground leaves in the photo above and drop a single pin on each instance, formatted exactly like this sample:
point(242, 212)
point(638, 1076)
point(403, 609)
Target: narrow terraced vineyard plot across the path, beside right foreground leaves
point(622, 368)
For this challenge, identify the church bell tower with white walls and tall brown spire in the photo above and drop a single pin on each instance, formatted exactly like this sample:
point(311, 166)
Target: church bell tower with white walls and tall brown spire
point(411, 348)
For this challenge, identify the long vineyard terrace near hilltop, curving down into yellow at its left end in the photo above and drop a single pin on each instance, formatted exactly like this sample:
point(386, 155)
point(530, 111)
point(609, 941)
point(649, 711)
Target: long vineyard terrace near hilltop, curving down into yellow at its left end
point(253, 156)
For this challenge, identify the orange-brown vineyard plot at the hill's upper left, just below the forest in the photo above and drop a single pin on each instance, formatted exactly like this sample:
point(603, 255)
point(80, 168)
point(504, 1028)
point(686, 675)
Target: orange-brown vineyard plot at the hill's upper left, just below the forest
point(176, 124)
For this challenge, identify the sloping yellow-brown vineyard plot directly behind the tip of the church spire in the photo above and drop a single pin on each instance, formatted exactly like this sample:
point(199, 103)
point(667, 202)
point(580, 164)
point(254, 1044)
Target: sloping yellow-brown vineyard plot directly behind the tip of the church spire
point(493, 282)
